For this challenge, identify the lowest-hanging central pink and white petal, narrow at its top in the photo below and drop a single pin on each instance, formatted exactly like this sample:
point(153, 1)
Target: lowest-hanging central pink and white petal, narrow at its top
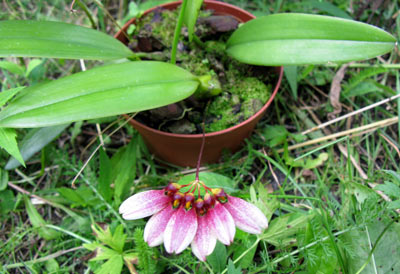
point(204, 242)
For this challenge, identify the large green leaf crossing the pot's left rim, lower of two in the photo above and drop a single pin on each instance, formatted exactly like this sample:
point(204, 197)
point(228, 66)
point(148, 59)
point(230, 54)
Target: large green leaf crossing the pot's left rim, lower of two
point(100, 92)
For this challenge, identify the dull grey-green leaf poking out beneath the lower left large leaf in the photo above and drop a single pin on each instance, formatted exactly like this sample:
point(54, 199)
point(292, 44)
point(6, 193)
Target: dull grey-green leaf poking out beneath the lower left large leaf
point(34, 141)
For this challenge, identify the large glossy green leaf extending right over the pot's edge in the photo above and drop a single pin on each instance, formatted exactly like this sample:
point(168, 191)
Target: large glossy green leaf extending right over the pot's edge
point(290, 39)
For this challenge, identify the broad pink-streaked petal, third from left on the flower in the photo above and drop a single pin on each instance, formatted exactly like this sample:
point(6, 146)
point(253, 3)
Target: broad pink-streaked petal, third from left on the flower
point(180, 230)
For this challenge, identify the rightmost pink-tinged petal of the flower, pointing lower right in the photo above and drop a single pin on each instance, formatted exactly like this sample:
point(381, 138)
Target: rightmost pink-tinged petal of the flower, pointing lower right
point(247, 216)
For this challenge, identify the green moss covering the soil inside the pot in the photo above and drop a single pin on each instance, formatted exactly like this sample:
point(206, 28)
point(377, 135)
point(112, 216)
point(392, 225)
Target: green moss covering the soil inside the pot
point(242, 94)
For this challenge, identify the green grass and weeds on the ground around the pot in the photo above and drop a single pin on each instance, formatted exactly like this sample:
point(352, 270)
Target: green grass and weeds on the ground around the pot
point(324, 212)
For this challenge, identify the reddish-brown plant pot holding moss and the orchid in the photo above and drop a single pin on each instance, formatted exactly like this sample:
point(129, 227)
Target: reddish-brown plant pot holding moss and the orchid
point(183, 149)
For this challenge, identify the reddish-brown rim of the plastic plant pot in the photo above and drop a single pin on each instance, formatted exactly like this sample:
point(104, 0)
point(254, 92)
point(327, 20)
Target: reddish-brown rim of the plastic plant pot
point(220, 132)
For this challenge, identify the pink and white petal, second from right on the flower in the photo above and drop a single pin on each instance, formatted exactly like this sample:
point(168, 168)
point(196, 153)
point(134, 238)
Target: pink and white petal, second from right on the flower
point(222, 223)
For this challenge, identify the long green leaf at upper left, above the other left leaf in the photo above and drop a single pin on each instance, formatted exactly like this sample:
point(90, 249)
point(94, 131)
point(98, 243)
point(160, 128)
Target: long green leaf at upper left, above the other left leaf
point(58, 40)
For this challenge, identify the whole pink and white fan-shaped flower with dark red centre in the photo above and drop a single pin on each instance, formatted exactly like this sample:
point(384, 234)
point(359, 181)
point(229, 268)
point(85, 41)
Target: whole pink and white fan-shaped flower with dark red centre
point(183, 218)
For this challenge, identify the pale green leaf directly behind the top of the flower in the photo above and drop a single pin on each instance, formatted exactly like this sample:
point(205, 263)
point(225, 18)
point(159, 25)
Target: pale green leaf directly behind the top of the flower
point(213, 180)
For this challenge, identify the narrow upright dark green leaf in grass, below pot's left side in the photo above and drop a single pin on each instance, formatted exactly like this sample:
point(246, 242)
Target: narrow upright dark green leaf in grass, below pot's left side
point(105, 176)
